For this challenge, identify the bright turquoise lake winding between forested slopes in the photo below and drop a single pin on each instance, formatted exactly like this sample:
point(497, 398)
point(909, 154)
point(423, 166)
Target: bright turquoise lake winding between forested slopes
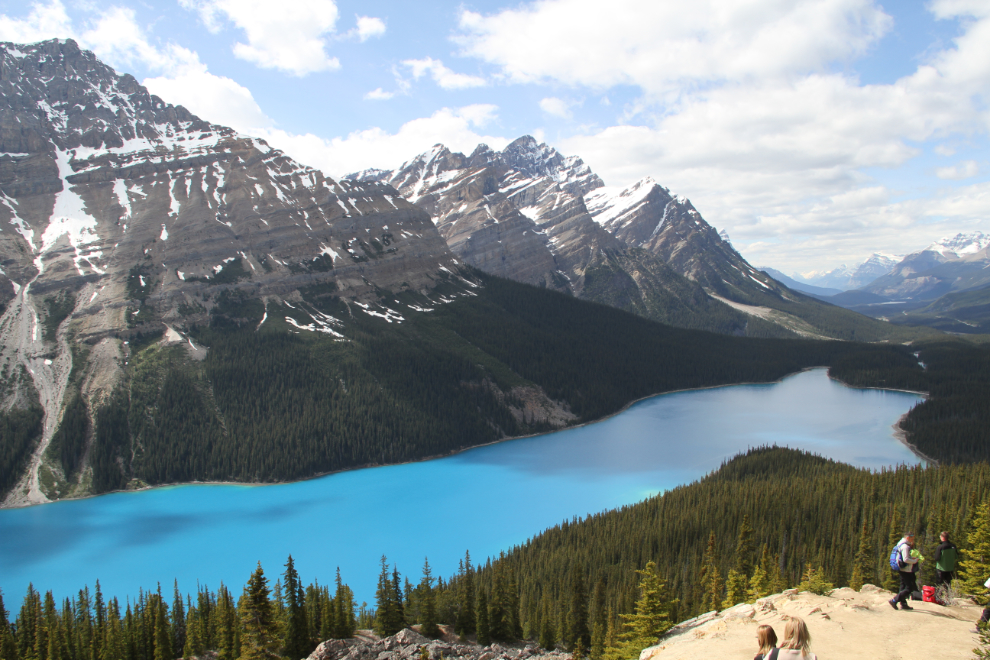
point(483, 500)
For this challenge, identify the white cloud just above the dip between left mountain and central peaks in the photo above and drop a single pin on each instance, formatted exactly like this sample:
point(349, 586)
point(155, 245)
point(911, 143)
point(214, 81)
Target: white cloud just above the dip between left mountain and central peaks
point(457, 128)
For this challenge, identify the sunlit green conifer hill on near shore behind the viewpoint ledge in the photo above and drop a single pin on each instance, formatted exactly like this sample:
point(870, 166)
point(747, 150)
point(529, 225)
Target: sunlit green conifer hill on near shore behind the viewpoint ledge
point(770, 519)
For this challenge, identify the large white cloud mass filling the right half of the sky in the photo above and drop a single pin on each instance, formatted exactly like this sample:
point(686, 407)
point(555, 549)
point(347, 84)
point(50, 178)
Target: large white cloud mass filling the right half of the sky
point(740, 111)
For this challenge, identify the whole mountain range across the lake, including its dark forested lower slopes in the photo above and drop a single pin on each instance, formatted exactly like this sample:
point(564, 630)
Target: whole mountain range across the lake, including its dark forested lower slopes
point(185, 303)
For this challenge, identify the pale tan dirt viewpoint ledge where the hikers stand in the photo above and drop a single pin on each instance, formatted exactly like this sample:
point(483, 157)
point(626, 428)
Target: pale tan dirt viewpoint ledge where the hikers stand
point(844, 625)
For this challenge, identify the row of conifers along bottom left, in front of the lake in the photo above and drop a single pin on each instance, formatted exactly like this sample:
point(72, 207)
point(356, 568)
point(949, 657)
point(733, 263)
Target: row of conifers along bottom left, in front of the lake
point(288, 621)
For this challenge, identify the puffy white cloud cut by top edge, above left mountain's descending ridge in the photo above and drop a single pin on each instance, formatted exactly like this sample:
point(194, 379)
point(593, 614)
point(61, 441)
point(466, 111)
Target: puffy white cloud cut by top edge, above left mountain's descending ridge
point(288, 36)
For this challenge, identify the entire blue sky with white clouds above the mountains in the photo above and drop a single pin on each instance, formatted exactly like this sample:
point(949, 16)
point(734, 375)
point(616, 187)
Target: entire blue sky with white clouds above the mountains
point(814, 131)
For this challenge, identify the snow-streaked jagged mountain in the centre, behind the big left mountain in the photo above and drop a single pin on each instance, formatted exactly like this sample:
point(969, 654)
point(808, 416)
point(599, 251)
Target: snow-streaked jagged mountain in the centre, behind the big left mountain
point(530, 214)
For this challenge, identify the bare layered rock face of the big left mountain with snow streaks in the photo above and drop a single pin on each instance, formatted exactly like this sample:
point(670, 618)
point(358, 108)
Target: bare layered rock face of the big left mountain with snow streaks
point(122, 215)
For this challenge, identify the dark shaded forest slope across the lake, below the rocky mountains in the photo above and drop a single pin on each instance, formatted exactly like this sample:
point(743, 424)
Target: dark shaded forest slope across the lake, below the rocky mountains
point(272, 401)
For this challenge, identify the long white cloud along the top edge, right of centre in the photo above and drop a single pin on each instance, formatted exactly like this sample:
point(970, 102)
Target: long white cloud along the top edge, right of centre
point(662, 46)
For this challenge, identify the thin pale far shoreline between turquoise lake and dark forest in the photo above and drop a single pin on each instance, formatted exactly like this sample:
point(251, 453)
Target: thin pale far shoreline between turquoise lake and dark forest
point(899, 434)
